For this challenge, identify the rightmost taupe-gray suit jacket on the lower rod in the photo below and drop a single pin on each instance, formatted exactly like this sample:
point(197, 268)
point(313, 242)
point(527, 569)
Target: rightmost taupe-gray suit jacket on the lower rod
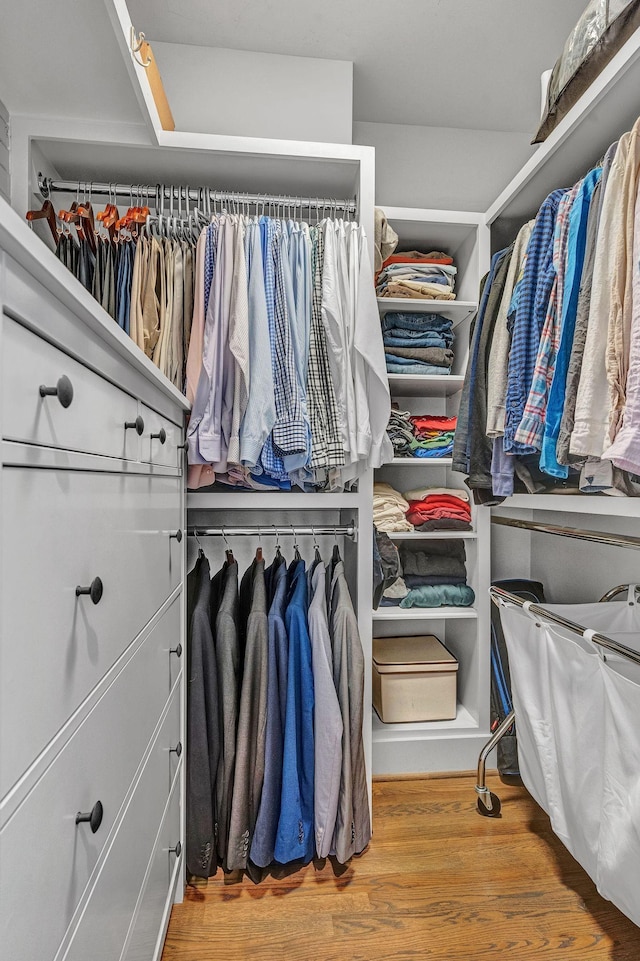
point(353, 821)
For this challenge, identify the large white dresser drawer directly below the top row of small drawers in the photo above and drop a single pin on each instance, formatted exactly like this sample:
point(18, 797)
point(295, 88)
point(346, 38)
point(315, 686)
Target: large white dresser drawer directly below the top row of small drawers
point(61, 530)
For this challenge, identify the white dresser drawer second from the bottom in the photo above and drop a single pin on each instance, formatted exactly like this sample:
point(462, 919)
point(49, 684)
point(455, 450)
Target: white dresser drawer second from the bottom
point(106, 919)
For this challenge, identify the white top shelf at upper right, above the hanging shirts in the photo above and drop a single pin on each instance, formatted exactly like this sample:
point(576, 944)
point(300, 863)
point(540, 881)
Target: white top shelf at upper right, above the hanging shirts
point(606, 110)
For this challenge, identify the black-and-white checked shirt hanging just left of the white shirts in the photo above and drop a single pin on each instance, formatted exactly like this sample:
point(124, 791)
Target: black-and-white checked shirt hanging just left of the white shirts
point(327, 449)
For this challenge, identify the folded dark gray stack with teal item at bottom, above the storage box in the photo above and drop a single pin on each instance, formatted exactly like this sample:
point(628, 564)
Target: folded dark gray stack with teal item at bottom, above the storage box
point(434, 577)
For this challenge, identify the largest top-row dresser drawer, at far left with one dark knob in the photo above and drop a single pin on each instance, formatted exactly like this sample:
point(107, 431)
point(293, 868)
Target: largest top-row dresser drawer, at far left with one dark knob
point(93, 421)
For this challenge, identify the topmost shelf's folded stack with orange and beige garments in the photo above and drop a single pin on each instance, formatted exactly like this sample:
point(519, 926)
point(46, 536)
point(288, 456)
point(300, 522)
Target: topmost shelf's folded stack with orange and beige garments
point(412, 275)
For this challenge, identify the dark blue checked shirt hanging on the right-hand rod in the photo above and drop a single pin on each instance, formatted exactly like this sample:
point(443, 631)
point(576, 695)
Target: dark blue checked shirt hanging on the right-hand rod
point(531, 312)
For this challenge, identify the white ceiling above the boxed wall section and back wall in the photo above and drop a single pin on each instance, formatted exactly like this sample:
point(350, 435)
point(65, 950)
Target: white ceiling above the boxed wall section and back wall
point(444, 63)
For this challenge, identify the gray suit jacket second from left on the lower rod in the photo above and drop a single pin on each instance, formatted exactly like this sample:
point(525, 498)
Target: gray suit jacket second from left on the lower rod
point(228, 661)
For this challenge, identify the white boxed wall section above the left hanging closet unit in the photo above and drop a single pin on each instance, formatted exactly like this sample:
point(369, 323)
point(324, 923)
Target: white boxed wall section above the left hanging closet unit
point(236, 92)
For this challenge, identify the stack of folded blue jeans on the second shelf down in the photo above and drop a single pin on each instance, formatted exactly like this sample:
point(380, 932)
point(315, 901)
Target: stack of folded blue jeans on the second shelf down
point(417, 343)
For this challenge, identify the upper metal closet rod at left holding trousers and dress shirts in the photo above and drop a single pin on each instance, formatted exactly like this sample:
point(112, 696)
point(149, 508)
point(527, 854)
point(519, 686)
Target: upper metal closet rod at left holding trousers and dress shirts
point(161, 192)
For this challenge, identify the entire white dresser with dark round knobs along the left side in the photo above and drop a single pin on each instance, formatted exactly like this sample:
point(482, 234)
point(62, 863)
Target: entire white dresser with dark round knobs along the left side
point(91, 623)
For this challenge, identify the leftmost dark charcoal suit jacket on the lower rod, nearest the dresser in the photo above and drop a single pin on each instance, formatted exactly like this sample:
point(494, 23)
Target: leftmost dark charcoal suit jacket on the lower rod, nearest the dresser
point(203, 729)
